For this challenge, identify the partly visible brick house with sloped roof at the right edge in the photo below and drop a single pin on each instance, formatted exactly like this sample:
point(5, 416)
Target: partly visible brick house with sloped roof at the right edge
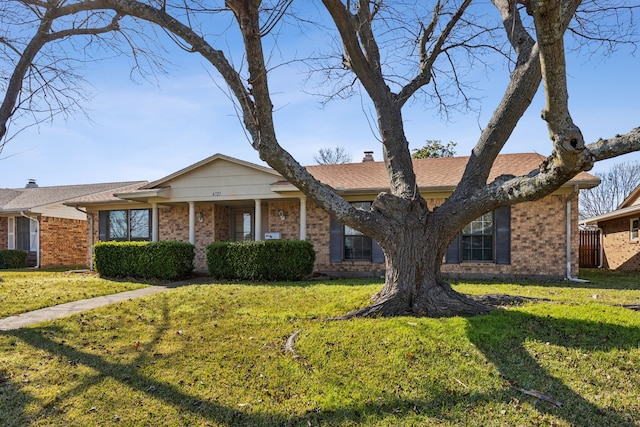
point(619, 239)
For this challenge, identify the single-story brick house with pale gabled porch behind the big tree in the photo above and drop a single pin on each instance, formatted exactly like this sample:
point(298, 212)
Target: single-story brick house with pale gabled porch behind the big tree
point(221, 198)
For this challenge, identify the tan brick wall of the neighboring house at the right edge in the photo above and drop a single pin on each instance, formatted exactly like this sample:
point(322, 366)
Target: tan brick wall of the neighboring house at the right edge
point(619, 252)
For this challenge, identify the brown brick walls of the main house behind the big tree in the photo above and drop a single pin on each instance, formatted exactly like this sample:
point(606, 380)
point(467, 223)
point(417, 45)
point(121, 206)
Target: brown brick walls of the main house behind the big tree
point(538, 237)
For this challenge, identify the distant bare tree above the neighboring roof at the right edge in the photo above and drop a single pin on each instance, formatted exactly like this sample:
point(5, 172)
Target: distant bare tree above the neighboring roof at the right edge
point(615, 186)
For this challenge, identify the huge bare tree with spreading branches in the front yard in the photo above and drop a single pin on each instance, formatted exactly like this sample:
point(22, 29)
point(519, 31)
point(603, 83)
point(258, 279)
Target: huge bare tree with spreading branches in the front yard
point(394, 52)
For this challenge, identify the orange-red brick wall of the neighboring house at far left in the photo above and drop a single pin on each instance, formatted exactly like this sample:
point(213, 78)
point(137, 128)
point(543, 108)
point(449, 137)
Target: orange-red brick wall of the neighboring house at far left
point(63, 242)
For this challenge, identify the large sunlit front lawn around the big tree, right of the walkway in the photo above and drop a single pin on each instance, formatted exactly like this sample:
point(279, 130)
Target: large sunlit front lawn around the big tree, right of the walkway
point(212, 355)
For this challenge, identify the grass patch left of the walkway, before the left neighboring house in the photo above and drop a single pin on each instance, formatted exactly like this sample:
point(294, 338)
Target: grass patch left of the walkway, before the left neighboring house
point(27, 290)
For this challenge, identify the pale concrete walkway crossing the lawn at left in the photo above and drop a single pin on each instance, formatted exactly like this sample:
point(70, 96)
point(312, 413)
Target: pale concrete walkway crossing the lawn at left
point(61, 310)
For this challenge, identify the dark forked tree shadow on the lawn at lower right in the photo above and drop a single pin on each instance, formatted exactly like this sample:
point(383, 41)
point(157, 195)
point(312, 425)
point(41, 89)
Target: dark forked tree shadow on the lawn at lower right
point(501, 336)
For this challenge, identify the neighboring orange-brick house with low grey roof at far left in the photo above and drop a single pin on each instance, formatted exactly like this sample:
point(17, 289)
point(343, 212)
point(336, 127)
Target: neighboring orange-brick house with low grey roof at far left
point(34, 219)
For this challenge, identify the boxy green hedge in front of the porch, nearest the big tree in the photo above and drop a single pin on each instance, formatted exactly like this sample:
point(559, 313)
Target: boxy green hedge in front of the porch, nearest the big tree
point(266, 260)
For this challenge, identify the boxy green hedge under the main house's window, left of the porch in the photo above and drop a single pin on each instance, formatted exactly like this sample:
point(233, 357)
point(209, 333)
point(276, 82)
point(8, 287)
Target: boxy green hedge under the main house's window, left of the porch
point(168, 260)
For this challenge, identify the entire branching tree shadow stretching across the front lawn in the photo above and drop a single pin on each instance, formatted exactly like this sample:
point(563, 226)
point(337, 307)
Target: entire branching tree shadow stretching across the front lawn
point(500, 336)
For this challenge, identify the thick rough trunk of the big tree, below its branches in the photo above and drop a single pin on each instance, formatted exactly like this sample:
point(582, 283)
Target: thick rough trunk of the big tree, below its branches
point(413, 282)
